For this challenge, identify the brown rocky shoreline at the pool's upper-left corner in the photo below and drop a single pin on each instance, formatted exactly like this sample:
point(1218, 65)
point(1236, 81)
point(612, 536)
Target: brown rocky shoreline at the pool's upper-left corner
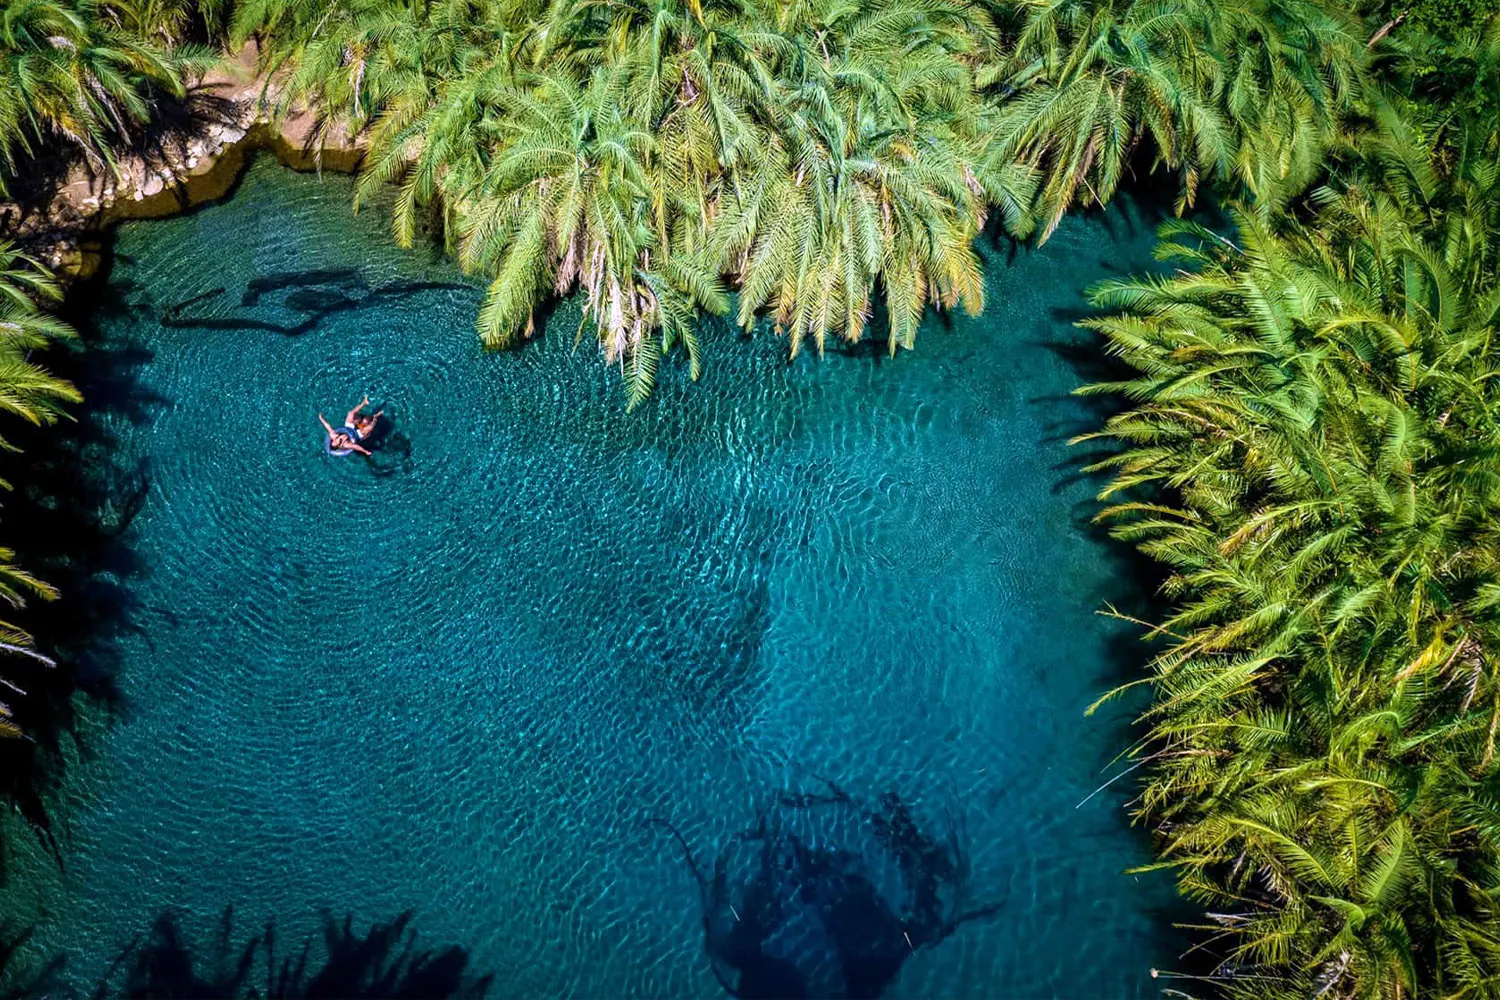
point(235, 116)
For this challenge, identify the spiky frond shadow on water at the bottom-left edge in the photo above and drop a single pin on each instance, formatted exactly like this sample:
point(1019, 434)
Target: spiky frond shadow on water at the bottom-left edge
point(341, 965)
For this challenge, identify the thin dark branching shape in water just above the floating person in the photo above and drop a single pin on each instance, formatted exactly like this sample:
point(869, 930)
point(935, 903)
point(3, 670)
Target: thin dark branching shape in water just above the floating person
point(316, 295)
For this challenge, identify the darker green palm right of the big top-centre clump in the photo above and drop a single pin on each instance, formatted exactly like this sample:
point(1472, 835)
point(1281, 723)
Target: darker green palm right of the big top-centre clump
point(1252, 92)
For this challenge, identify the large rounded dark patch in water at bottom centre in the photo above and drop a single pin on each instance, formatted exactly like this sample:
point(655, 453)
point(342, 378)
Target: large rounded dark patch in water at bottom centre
point(827, 897)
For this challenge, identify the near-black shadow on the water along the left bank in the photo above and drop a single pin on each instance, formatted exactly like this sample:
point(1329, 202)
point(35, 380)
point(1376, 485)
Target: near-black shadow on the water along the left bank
point(70, 516)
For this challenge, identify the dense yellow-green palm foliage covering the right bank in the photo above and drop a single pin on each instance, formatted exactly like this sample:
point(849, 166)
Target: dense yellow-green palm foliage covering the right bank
point(1315, 455)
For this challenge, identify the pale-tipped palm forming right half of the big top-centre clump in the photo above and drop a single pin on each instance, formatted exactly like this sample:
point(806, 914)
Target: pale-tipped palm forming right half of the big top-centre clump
point(880, 172)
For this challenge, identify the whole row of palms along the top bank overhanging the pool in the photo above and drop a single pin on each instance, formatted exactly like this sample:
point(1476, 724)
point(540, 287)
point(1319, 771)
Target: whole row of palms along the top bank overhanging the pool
point(817, 158)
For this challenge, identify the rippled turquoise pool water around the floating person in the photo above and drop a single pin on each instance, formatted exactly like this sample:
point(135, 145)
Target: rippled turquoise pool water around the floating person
point(505, 674)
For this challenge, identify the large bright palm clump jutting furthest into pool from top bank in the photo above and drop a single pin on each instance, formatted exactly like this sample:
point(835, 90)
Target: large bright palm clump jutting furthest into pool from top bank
point(646, 154)
